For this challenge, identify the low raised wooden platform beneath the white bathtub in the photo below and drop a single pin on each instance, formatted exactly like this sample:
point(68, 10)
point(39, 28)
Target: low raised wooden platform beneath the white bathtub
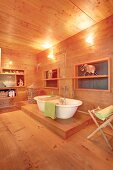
point(63, 128)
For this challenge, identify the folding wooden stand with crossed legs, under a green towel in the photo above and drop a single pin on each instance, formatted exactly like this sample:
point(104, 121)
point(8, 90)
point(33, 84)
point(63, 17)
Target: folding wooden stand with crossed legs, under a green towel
point(100, 127)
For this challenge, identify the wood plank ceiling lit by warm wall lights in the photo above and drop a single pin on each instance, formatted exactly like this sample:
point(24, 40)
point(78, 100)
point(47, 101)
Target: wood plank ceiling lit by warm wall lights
point(35, 24)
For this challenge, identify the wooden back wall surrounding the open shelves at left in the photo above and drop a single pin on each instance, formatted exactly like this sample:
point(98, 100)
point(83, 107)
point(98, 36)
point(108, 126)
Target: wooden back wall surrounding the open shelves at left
point(21, 61)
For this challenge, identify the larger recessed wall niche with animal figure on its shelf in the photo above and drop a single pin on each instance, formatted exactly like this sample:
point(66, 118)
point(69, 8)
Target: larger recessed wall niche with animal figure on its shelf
point(94, 75)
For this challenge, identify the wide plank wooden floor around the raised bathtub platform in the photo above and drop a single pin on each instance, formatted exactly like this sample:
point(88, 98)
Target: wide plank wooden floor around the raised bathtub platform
point(25, 144)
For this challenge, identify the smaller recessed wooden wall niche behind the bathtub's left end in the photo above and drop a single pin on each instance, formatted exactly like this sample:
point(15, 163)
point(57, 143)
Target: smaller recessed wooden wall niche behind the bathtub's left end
point(51, 78)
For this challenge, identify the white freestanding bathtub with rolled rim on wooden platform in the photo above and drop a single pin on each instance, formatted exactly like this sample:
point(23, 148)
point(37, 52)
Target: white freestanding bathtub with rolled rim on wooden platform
point(65, 108)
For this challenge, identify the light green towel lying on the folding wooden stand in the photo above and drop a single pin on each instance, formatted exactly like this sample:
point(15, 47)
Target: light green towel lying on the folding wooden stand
point(104, 113)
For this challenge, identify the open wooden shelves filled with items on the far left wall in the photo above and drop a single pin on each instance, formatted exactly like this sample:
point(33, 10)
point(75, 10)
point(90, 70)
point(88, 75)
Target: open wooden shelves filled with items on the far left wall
point(10, 81)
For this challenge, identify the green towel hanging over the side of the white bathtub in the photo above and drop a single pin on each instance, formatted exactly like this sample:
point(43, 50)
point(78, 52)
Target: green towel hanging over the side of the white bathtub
point(50, 110)
